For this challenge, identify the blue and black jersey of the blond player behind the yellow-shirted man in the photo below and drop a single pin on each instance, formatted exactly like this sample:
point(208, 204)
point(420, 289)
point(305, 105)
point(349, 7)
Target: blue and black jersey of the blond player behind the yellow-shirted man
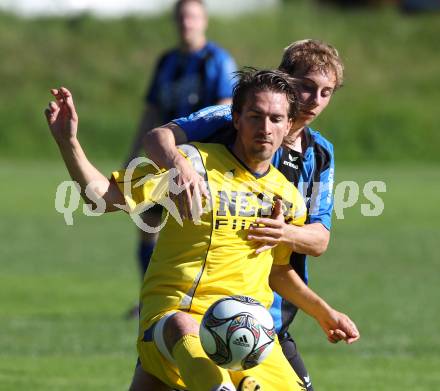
point(312, 172)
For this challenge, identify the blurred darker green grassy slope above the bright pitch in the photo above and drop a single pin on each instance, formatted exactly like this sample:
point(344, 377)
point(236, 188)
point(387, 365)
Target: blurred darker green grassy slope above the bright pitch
point(387, 109)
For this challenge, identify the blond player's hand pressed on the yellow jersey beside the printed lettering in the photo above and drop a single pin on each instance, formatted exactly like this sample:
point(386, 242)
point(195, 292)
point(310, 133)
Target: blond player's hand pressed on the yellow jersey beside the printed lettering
point(272, 232)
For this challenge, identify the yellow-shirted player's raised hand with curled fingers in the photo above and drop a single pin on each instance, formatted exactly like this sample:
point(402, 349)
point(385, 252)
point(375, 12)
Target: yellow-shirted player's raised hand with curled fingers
point(61, 115)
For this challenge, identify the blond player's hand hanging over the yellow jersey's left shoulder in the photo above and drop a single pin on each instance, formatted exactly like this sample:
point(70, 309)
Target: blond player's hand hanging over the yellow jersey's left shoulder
point(192, 191)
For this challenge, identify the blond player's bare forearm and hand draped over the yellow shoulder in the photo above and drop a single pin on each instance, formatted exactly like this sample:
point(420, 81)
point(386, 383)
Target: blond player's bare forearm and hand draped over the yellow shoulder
point(161, 146)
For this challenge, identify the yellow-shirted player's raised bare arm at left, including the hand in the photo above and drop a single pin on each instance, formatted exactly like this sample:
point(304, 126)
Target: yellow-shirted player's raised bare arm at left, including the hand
point(63, 122)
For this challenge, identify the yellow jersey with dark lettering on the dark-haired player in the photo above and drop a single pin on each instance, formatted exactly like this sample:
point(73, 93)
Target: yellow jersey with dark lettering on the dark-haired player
point(195, 264)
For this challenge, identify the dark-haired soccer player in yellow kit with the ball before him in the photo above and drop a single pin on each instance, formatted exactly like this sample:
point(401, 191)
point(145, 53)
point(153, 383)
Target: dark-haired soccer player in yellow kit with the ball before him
point(195, 264)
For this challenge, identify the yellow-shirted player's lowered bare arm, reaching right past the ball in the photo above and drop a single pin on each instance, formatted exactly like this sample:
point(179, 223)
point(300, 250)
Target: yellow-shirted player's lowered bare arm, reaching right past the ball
point(336, 325)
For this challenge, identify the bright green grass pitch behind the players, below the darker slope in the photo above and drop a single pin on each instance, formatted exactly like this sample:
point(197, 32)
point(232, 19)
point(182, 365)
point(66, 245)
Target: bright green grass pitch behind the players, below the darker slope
point(64, 289)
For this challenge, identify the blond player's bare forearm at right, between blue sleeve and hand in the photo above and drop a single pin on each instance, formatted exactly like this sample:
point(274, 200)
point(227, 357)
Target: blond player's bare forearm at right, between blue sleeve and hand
point(310, 239)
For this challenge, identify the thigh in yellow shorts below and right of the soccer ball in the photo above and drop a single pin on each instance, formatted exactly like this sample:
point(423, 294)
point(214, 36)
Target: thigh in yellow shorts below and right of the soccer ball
point(274, 373)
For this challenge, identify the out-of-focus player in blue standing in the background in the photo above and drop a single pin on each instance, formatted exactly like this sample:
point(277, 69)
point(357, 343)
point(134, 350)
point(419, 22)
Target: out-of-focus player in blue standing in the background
point(196, 74)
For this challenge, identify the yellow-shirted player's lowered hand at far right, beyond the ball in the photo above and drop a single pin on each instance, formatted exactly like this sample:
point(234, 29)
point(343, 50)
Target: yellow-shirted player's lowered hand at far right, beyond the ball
point(339, 327)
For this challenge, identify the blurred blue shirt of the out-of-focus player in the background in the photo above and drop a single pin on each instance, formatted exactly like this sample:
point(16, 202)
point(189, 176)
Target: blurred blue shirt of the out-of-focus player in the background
point(186, 82)
